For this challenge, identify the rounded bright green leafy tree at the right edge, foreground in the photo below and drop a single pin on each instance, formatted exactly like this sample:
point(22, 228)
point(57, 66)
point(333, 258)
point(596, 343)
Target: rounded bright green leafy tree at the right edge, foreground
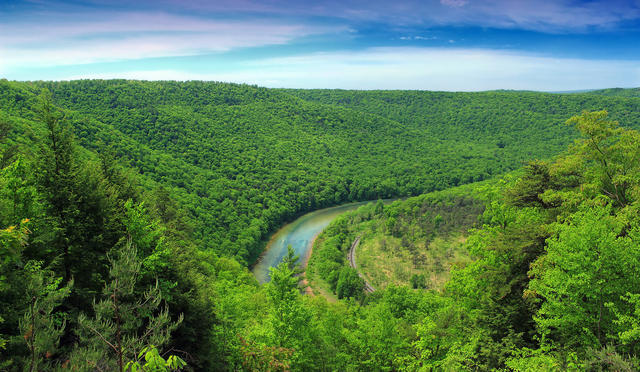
point(587, 266)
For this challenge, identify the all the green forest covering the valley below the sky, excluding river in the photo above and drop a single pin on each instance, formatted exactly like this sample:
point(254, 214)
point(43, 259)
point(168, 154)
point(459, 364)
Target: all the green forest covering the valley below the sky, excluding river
point(131, 212)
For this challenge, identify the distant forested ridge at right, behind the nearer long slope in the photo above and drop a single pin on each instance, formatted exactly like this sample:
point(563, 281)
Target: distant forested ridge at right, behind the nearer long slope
point(505, 115)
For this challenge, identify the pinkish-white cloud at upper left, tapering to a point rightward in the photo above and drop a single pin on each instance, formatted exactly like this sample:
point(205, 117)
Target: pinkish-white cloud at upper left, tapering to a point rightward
point(126, 36)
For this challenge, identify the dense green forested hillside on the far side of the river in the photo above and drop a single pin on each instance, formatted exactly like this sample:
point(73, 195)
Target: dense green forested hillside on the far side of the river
point(242, 160)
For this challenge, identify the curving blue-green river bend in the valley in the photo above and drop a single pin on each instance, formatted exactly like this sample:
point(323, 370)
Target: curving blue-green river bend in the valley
point(299, 234)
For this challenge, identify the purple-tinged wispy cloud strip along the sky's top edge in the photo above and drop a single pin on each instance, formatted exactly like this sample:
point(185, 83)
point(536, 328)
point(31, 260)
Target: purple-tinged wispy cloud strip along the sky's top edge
point(539, 15)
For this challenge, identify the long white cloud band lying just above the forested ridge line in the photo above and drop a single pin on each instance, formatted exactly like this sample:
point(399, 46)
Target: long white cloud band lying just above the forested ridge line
point(415, 68)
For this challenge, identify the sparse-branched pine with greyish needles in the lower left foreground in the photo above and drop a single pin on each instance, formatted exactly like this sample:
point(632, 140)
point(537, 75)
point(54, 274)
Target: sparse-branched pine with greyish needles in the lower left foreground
point(125, 323)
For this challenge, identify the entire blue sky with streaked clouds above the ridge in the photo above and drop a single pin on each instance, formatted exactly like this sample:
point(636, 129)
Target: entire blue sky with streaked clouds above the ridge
point(450, 45)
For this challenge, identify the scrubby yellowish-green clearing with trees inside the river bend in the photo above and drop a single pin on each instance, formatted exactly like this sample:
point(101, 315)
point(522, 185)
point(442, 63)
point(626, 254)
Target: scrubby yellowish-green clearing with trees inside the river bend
point(414, 238)
